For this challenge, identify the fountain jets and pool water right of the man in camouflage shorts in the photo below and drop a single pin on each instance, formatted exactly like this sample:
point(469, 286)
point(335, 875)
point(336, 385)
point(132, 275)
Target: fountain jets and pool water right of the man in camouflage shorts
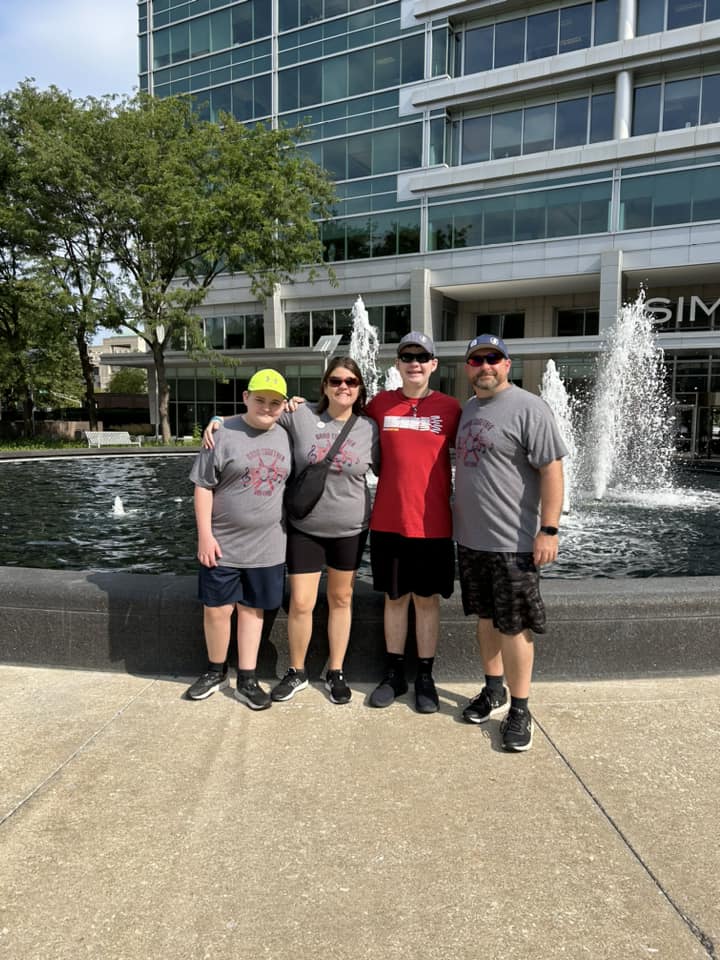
point(624, 514)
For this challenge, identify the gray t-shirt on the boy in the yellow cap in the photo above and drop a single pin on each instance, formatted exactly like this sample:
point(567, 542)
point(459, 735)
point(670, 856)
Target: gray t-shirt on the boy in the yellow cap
point(246, 471)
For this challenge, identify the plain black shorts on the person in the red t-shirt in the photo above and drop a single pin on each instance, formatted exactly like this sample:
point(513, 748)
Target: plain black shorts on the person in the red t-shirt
point(421, 565)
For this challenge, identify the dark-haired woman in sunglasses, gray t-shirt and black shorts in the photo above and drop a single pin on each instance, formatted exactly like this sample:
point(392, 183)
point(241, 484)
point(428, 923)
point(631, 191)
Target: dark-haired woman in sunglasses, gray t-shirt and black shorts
point(334, 533)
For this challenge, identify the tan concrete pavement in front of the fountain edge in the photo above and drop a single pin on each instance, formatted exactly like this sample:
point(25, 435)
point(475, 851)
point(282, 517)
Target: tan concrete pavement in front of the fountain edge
point(135, 824)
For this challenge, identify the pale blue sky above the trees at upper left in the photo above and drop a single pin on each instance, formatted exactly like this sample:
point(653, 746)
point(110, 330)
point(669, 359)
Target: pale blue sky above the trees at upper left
point(84, 47)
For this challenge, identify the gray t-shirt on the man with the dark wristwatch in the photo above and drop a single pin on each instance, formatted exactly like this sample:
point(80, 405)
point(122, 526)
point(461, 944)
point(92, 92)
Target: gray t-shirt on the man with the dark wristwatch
point(500, 444)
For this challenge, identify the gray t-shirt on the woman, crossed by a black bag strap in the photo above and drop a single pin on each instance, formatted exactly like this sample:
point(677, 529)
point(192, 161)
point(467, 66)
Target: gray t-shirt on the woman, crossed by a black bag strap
point(344, 508)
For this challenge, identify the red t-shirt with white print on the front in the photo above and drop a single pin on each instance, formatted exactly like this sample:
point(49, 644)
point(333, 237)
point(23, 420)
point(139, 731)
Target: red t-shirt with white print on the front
point(413, 491)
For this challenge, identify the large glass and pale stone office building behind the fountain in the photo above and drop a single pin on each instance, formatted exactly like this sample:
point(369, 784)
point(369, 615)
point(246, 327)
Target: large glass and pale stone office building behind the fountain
point(514, 168)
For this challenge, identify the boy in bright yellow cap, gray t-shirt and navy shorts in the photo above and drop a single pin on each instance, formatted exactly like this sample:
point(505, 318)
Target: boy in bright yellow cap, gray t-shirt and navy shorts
point(239, 487)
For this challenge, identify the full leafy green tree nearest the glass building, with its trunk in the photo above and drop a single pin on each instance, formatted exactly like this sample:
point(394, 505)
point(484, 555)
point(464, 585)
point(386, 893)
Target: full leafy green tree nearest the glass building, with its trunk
point(184, 199)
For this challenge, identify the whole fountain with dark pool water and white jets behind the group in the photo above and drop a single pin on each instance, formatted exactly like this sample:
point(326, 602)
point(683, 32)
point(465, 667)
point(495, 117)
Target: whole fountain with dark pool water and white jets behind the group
point(624, 520)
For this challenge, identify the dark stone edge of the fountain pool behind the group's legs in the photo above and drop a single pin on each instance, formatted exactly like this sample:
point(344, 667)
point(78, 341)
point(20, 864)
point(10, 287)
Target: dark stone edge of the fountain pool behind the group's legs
point(152, 624)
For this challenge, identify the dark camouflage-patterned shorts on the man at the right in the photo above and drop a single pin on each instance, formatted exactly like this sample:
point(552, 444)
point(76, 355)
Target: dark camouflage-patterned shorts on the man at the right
point(502, 587)
